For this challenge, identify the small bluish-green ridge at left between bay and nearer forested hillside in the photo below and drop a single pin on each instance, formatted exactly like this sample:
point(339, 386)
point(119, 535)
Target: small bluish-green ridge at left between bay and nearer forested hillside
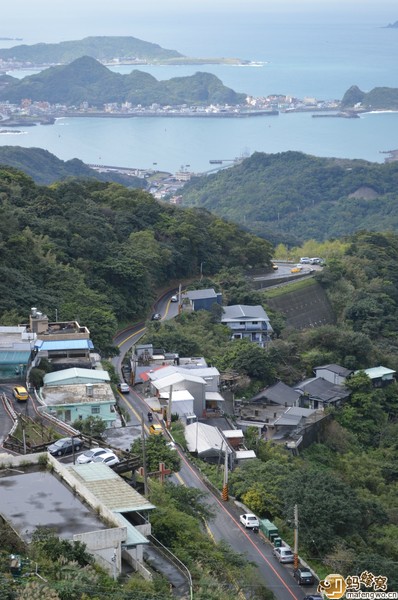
point(45, 168)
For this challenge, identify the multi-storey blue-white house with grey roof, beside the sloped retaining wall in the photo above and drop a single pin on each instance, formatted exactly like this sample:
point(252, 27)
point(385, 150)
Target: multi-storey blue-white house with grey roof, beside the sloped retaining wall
point(248, 322)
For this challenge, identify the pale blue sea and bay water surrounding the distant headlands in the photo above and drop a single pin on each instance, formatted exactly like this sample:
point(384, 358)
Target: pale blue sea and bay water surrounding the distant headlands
point(316, 54)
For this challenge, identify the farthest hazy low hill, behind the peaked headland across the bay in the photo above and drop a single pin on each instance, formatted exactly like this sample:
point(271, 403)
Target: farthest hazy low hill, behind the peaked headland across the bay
point(103, 48)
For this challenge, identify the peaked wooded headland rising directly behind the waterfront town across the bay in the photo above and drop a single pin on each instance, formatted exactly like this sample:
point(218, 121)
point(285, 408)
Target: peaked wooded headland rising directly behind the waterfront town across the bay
point(87, 80)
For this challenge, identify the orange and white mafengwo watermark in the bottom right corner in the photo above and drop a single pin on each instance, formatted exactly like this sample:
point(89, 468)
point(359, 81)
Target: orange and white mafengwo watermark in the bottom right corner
point(335, 586)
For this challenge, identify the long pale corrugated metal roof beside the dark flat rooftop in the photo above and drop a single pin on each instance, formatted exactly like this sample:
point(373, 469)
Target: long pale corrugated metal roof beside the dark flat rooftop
point(110, 488)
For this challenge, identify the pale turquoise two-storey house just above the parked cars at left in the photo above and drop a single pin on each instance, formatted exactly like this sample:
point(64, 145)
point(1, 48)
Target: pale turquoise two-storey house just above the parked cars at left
point(73, 394)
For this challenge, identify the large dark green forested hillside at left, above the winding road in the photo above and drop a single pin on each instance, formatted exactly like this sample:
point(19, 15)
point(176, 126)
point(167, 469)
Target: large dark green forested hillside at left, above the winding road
point(98, 252)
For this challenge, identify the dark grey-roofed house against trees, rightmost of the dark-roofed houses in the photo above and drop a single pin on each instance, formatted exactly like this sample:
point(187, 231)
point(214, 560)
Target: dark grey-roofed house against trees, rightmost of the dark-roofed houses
point(320, 393)
